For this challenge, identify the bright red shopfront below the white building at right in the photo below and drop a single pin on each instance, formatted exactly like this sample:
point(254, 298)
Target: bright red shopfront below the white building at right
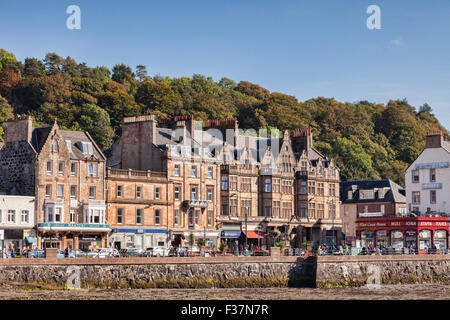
point(420, 232)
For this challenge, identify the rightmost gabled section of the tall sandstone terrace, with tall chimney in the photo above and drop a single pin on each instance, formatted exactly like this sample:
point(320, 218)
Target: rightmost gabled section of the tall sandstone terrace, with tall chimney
point(316, 193)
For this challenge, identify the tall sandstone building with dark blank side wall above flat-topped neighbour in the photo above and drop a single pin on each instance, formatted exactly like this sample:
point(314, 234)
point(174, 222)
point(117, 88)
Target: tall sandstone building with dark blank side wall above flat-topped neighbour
point(168, 146)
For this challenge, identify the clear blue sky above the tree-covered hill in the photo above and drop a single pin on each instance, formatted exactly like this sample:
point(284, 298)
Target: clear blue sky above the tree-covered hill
point(304, 48)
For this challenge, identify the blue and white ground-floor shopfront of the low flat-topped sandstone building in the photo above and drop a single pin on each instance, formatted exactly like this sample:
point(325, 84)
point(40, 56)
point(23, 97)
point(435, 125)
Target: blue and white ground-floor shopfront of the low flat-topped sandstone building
point(139, 238)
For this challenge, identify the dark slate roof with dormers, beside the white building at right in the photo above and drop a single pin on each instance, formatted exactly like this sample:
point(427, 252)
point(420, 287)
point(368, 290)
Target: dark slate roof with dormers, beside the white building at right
point(395, 194)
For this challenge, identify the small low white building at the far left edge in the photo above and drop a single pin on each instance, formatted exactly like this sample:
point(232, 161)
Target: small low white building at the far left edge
point(17, 221)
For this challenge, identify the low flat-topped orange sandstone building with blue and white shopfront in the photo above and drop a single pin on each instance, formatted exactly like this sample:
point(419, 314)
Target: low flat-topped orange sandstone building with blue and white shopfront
point(140, 207)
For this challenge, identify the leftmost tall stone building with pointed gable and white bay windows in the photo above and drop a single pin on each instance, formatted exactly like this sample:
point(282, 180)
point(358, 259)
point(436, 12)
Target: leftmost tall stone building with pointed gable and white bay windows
point(65, 172)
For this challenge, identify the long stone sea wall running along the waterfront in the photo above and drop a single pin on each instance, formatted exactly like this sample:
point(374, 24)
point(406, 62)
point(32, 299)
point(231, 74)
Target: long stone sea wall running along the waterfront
point(226, 272)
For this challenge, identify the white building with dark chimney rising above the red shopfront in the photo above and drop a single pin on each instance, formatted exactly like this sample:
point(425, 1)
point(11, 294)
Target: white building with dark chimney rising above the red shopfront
point(427, 180)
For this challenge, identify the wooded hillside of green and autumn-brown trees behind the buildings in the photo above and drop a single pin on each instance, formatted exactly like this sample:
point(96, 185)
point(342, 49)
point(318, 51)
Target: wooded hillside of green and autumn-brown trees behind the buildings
point(367, 140)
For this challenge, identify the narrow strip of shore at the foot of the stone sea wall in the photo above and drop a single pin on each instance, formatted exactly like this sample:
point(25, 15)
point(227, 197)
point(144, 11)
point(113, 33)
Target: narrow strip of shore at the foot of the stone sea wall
point(390, 292)
